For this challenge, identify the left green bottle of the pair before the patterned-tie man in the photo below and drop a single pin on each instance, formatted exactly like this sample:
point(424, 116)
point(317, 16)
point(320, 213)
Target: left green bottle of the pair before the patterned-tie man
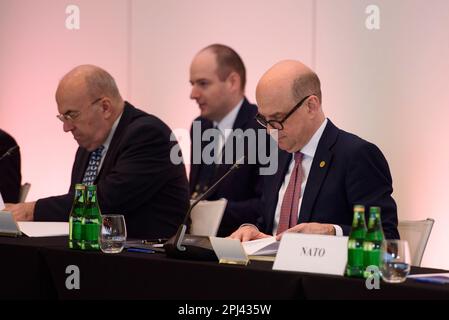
point(76, 216)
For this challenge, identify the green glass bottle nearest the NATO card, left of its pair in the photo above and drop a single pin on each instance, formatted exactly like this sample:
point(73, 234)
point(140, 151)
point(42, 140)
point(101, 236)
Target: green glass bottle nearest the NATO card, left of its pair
point(355, 266)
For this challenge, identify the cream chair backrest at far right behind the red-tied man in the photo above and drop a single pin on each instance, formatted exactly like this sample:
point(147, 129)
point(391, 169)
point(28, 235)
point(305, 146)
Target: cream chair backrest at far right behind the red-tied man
point(417, 234)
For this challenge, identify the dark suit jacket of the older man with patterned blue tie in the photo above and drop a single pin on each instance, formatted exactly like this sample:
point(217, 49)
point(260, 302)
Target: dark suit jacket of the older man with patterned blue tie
point(137, 179)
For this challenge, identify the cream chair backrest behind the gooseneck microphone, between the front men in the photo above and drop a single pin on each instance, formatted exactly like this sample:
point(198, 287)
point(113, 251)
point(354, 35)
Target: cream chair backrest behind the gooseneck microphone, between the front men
point(206, 217)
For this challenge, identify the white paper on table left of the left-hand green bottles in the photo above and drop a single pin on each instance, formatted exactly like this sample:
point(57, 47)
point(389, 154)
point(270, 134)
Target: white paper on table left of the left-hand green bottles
point(44, 229)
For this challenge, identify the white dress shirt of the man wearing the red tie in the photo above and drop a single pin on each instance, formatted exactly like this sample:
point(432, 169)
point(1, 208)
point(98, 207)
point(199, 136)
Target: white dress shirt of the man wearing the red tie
point(308, 152)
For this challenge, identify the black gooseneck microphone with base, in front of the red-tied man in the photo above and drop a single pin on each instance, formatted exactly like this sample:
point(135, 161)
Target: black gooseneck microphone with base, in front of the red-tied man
point(192, 247)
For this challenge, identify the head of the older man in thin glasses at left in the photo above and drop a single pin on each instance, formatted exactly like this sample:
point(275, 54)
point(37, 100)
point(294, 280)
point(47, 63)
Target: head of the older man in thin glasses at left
point(90, 101)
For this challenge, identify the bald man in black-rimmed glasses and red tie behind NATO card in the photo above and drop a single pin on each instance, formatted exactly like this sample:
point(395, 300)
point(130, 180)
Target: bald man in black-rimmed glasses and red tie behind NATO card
point(323, 171)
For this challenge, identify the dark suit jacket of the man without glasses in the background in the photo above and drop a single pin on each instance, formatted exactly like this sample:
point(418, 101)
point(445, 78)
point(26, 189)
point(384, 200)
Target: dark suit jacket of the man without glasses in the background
point(243, 188)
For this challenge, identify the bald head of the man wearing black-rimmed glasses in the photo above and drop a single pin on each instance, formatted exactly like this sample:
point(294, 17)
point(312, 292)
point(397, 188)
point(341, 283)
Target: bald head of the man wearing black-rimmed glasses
point(279, 90)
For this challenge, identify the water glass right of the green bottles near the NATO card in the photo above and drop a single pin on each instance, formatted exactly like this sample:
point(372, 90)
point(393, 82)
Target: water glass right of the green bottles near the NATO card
point(395, 261)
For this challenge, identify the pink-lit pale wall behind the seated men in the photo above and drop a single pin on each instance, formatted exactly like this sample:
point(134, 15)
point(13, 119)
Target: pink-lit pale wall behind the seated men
point(388, 85)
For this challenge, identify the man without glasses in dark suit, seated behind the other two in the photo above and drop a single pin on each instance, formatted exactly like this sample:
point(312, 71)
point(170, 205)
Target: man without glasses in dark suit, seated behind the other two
point(218, 77)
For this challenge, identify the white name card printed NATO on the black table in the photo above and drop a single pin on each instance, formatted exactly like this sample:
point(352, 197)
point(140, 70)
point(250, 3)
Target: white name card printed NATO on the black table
point(312, 253)
